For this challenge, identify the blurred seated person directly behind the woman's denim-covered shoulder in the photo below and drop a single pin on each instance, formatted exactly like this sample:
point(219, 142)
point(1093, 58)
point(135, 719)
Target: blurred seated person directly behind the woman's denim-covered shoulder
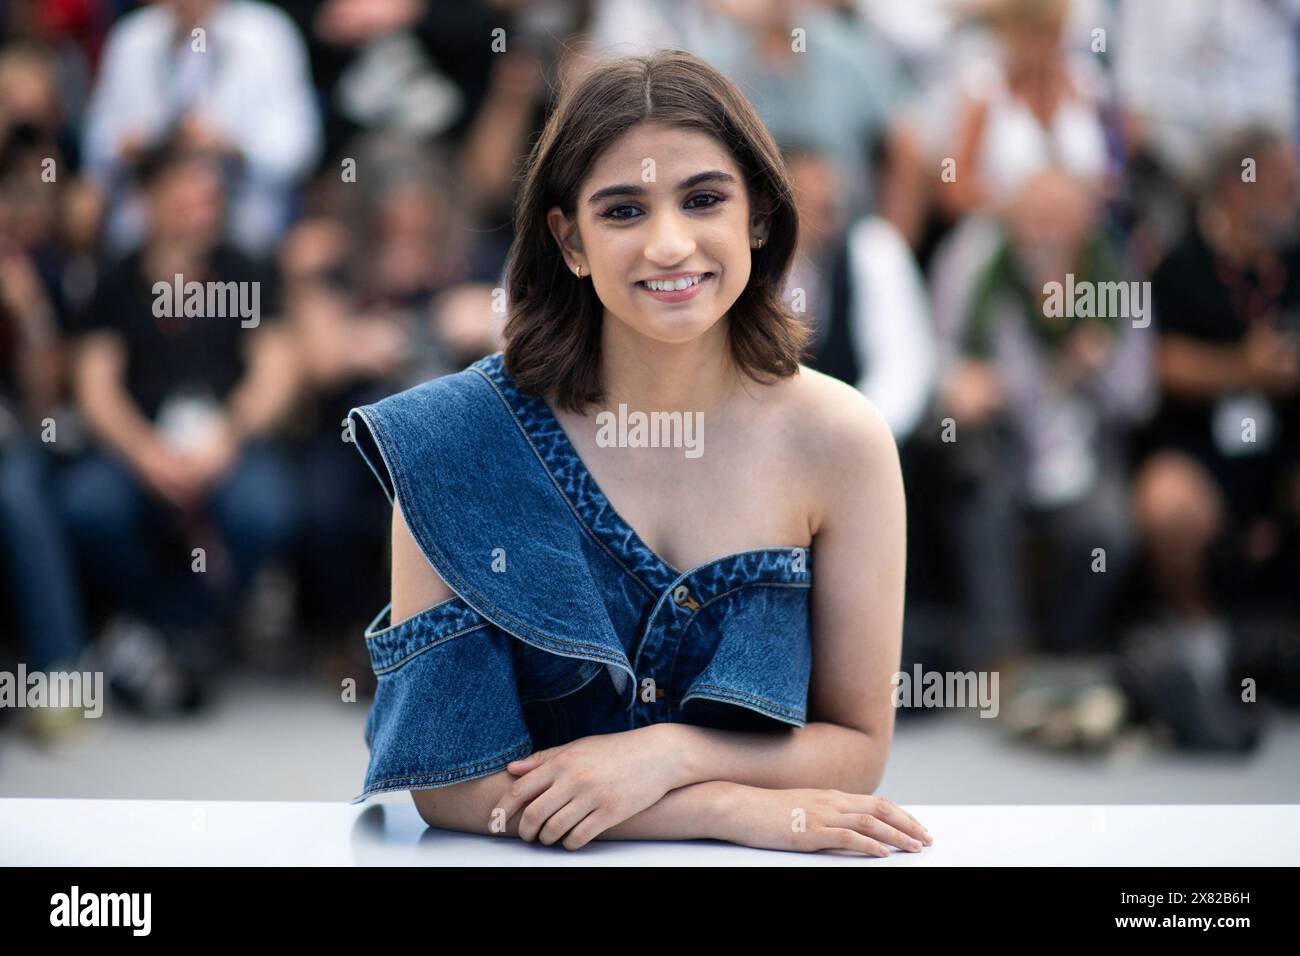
point(379, 297)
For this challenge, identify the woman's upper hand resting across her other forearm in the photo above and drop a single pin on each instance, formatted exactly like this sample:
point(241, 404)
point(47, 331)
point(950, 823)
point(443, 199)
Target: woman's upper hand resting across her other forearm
point(582, 789)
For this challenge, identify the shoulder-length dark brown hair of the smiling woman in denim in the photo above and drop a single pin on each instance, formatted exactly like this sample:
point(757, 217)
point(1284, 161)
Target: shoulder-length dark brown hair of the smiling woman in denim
point(553, 334)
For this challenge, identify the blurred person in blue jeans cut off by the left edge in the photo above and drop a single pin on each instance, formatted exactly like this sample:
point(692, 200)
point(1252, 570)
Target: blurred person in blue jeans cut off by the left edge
point(36, 434)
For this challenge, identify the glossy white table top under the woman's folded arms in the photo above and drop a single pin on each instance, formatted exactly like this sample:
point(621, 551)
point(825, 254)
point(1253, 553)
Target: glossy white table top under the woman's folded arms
point(180, 833)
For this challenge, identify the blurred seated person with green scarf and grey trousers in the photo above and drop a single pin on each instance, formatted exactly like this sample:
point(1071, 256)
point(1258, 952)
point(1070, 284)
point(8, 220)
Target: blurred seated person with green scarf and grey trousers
point(1042, 401)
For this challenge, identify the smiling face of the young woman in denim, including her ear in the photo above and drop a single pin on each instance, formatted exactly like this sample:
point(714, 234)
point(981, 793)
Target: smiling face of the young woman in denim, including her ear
point(662, 207)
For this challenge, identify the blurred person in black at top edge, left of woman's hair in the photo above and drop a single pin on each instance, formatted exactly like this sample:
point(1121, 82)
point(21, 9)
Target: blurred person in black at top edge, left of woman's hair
point(419, 72)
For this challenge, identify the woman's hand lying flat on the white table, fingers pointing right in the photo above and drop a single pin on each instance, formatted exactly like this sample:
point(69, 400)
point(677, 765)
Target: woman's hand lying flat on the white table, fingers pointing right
point(813, 820)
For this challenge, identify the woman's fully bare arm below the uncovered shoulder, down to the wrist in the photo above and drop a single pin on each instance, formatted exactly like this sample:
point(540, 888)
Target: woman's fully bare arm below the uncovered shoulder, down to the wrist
point(860, 542)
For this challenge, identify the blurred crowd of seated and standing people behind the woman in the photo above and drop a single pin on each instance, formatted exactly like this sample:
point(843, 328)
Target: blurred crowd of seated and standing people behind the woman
point(1056, 243)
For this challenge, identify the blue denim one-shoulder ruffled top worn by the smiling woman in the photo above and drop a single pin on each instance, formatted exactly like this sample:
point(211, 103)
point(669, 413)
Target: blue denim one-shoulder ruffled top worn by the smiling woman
point(565, 624)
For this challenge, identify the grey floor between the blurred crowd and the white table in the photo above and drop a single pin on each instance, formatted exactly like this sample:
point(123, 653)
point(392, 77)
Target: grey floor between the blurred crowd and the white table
point(278, 739)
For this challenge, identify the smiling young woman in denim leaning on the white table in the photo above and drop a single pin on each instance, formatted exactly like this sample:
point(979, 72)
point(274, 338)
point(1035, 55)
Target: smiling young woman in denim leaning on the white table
point(618, 641)
